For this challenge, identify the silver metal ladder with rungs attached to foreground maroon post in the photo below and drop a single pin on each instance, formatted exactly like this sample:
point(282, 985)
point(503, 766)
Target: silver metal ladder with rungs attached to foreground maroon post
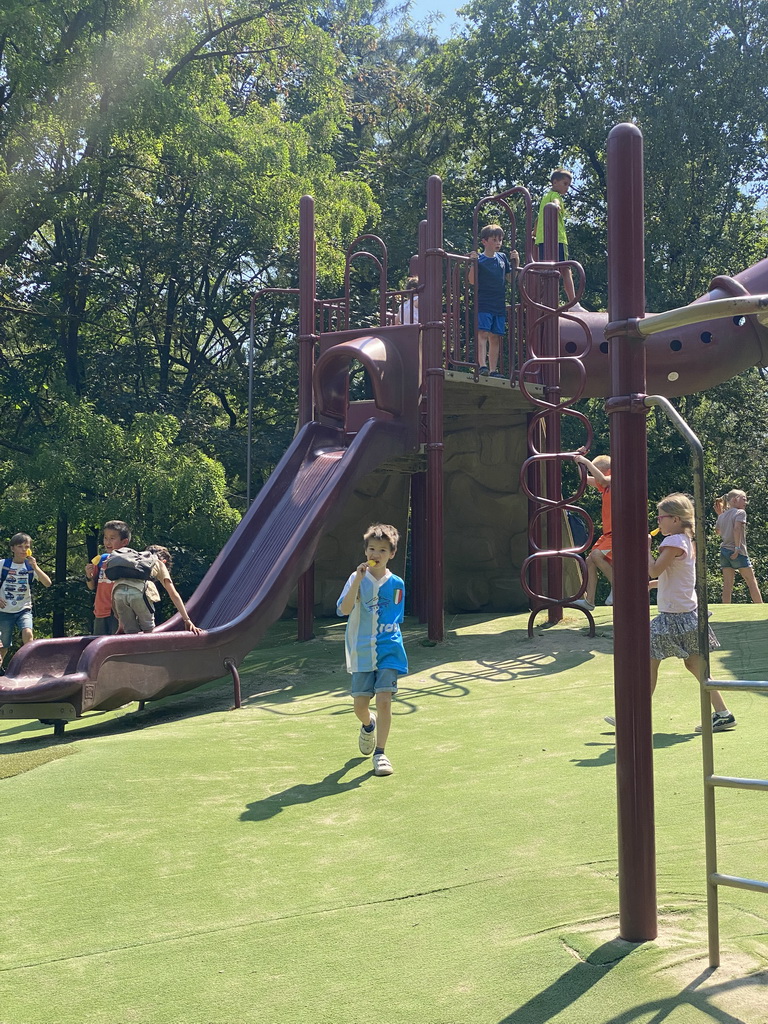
point(711, 781)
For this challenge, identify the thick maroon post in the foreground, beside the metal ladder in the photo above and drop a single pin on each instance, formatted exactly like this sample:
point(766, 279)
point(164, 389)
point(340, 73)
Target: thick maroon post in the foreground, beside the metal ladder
point(637, 883)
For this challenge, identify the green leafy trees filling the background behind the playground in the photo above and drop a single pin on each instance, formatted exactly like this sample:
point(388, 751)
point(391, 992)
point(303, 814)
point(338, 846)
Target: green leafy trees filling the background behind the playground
point(153, 156)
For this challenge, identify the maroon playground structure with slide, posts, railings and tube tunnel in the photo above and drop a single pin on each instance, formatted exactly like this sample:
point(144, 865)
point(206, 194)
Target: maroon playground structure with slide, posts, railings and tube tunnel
point(415, 372)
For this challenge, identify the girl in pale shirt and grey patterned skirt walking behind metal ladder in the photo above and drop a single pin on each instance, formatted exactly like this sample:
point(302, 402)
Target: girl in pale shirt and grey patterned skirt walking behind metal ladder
point(674, 633)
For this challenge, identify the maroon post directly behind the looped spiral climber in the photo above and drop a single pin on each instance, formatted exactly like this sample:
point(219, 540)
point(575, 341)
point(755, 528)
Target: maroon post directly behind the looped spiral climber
point(550, 348)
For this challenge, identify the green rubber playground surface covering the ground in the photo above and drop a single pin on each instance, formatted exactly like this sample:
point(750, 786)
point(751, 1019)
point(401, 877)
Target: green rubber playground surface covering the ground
point(196, 865)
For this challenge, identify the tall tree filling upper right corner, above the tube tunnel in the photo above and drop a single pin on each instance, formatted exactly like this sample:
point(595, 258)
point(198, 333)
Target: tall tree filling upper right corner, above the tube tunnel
point(538, 83)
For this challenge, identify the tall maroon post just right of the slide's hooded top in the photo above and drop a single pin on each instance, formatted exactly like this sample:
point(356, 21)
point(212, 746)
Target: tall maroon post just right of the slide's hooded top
point(432, 338)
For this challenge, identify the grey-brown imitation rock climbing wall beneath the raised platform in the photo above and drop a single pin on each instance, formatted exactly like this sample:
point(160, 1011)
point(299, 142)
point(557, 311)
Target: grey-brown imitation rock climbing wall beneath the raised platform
point(486, 513)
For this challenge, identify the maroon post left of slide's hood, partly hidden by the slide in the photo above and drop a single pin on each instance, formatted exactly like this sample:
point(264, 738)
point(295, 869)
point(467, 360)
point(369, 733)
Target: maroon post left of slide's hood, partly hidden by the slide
point(308, 338)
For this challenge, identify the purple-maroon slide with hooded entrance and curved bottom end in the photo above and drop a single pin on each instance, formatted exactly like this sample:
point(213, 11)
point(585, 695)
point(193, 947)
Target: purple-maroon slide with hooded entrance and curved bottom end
point(248, 586)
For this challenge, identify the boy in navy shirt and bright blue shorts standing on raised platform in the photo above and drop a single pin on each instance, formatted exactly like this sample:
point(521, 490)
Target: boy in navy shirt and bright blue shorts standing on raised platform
point(494, 270)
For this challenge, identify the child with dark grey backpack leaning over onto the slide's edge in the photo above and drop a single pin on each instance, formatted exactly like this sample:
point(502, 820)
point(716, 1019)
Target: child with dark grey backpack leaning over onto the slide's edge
point(135, 575)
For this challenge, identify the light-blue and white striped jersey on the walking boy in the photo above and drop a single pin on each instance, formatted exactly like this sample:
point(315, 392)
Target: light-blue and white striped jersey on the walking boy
point(373, 639)
